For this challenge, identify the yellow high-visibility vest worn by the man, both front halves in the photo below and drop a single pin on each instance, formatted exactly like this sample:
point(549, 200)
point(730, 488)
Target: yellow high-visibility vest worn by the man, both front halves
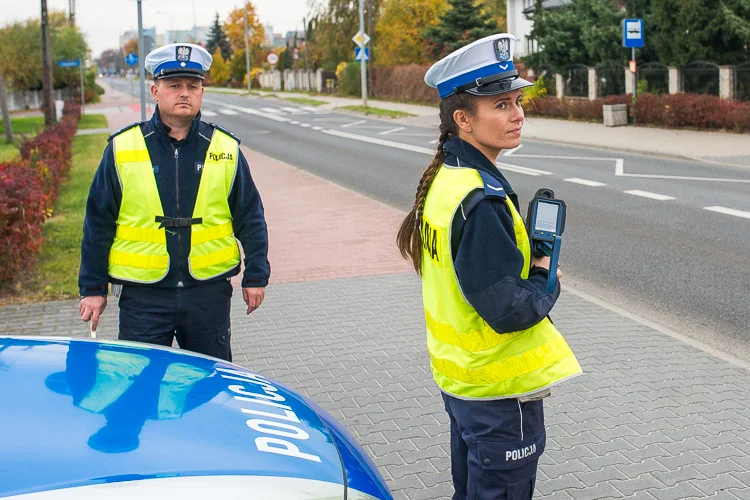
point(139, 251)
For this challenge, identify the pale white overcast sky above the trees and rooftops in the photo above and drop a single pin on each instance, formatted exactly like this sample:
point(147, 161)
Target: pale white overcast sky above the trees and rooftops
point(102, 21)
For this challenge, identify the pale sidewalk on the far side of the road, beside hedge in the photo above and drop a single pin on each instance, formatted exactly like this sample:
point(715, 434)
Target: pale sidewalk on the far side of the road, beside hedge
point(721, 147)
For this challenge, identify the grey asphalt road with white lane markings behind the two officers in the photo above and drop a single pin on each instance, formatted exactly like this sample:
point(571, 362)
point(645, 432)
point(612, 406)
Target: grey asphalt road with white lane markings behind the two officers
point(665, 239)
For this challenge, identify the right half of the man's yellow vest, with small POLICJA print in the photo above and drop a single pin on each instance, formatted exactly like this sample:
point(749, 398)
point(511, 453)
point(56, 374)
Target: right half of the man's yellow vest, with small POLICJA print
point(213, 249)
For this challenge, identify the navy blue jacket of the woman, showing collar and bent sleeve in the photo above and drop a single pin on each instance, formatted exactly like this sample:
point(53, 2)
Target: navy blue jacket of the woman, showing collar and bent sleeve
point(487, 261)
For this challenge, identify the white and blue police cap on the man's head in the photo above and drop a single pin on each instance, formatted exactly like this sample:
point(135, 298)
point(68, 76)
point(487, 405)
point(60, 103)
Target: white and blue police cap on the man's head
point(178, 59)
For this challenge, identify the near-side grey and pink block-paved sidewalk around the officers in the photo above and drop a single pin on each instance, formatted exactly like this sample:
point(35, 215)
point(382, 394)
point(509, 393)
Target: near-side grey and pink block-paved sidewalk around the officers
point(651, 418)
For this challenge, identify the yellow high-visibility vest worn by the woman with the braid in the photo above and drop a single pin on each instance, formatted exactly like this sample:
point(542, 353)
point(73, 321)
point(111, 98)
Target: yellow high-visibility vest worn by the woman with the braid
point(468, 358)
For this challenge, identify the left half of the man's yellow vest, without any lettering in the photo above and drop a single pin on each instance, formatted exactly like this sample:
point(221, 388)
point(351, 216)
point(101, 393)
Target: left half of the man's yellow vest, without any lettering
point(139, 251)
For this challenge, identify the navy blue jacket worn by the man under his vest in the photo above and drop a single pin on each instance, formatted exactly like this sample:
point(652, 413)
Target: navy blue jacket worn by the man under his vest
point(177, 169)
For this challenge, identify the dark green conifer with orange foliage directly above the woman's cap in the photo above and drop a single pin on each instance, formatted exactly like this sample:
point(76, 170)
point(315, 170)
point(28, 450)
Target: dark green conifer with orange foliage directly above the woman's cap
point(462, 23)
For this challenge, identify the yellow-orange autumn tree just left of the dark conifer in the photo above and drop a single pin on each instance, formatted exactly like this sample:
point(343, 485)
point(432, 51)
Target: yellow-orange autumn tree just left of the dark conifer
point(400, 30)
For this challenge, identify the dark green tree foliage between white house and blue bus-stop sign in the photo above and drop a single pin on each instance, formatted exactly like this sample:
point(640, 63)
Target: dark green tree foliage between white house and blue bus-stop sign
point(584, 32)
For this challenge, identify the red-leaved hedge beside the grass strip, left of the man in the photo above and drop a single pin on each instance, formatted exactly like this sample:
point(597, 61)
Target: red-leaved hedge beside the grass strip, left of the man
point(28, 186)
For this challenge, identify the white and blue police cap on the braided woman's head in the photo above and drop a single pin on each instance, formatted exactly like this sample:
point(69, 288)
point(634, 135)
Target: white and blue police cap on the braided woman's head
point(484, 67)
